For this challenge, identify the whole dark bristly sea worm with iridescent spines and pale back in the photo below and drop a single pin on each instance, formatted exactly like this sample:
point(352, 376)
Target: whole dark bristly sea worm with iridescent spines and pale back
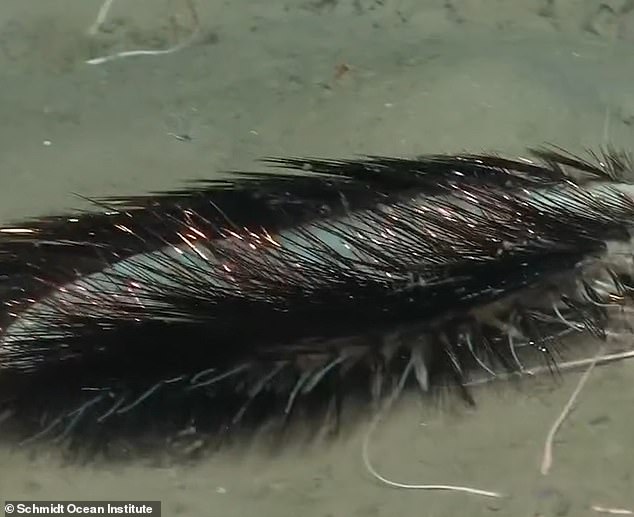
point(242, 301)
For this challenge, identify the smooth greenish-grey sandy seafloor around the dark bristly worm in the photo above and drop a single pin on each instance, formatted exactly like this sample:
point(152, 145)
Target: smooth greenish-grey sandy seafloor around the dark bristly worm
point(261, 79)
